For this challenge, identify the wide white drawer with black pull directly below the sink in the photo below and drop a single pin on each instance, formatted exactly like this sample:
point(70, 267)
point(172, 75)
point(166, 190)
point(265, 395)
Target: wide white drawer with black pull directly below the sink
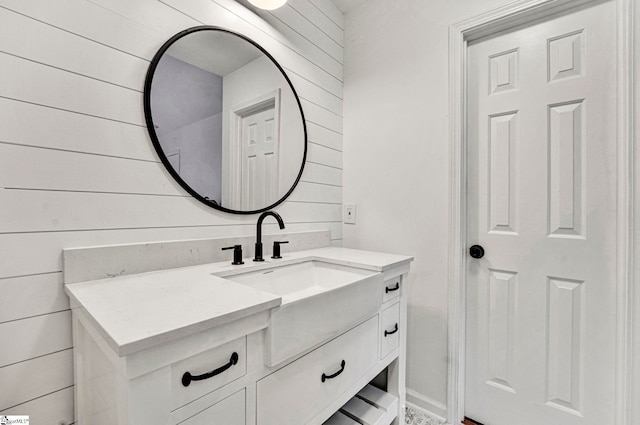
point(296, 393)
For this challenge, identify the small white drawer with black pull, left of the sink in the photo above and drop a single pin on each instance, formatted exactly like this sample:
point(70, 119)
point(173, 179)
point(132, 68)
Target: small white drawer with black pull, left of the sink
point(205, 363)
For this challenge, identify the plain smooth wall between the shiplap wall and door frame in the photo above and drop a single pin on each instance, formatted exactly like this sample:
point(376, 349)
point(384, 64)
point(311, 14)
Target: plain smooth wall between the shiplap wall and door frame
point(396, 160)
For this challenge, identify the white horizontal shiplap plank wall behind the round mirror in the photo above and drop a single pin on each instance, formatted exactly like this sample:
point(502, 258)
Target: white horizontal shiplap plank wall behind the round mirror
point(77, 167)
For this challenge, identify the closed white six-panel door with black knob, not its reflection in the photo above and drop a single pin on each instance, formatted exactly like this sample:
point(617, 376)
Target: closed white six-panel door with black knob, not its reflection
point(541, 307)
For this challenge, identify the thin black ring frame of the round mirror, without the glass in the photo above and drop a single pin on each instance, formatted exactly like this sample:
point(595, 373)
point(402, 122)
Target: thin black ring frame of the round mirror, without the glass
point(156, 141)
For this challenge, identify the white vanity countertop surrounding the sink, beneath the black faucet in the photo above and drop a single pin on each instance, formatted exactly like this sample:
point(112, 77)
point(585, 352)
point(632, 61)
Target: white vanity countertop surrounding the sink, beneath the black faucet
point(140, 311)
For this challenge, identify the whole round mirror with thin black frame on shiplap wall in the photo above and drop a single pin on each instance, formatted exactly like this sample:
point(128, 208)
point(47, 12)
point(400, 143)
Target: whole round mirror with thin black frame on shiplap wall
point(225, 120)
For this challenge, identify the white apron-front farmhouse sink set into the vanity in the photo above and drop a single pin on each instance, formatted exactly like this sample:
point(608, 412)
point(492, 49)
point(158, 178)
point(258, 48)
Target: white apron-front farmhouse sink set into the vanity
point(319, 301)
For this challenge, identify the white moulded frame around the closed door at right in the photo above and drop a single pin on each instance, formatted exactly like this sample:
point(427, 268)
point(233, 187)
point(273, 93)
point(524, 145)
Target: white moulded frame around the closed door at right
point(460, 34)
